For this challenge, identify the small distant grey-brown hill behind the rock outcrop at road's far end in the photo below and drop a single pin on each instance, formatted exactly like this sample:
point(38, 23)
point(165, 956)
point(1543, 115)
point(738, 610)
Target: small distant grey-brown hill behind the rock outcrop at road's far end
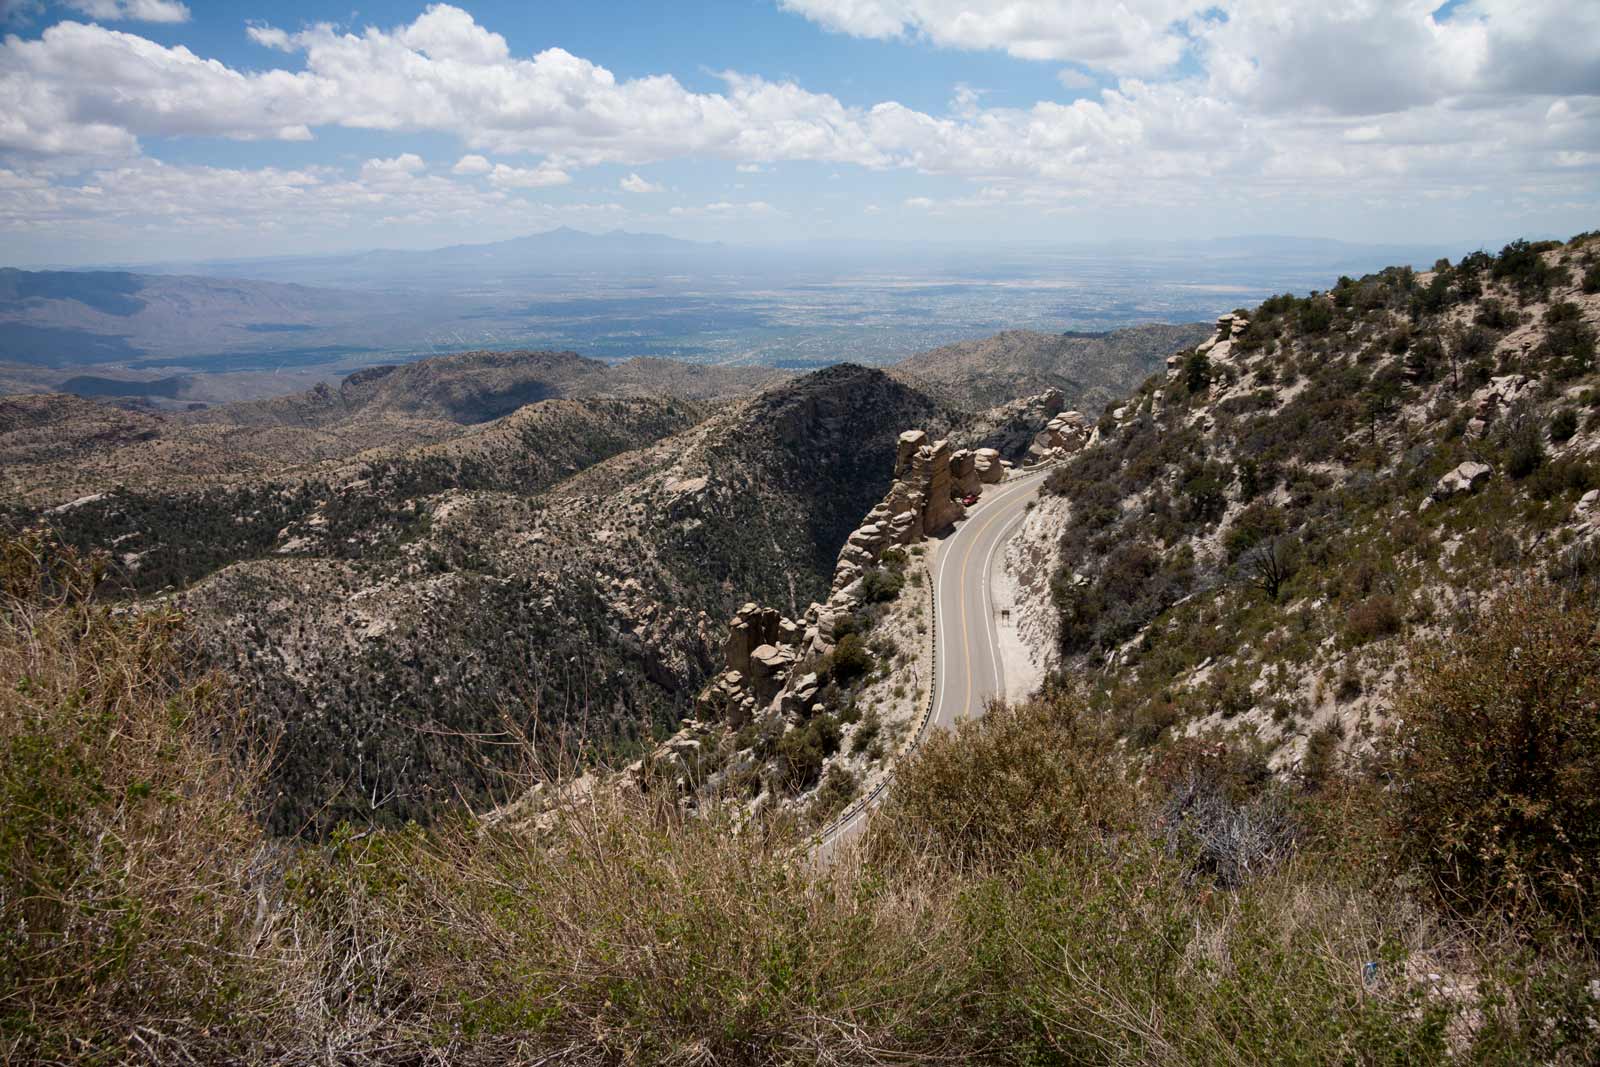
point(1087, 369)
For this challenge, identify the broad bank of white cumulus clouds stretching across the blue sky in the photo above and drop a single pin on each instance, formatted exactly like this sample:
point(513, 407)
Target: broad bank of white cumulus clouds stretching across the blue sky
point(1242, 102)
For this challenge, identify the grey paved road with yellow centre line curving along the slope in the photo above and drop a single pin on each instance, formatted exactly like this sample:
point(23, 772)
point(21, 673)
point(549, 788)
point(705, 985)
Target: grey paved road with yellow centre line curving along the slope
point(967, 652)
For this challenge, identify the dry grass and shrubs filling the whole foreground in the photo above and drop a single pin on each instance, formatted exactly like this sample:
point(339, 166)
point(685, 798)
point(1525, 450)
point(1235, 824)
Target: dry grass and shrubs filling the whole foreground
point(1028, 897)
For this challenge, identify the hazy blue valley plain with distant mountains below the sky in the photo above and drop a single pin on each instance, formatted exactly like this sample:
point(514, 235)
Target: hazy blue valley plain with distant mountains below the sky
point(231, 330)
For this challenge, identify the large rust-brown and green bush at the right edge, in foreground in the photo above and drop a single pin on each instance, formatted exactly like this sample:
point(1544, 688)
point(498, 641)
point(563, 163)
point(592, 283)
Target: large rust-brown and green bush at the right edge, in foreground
point(1498, 759)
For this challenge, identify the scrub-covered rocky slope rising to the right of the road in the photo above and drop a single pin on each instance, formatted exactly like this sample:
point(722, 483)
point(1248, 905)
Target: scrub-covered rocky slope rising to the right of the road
point(1247, 546)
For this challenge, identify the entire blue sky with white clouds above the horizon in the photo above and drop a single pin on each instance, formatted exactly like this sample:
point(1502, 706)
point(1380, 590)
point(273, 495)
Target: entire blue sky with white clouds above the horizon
point(158, 130)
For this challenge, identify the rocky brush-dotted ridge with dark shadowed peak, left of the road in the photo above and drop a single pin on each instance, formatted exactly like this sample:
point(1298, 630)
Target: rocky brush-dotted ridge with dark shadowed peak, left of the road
point(404, 629)
